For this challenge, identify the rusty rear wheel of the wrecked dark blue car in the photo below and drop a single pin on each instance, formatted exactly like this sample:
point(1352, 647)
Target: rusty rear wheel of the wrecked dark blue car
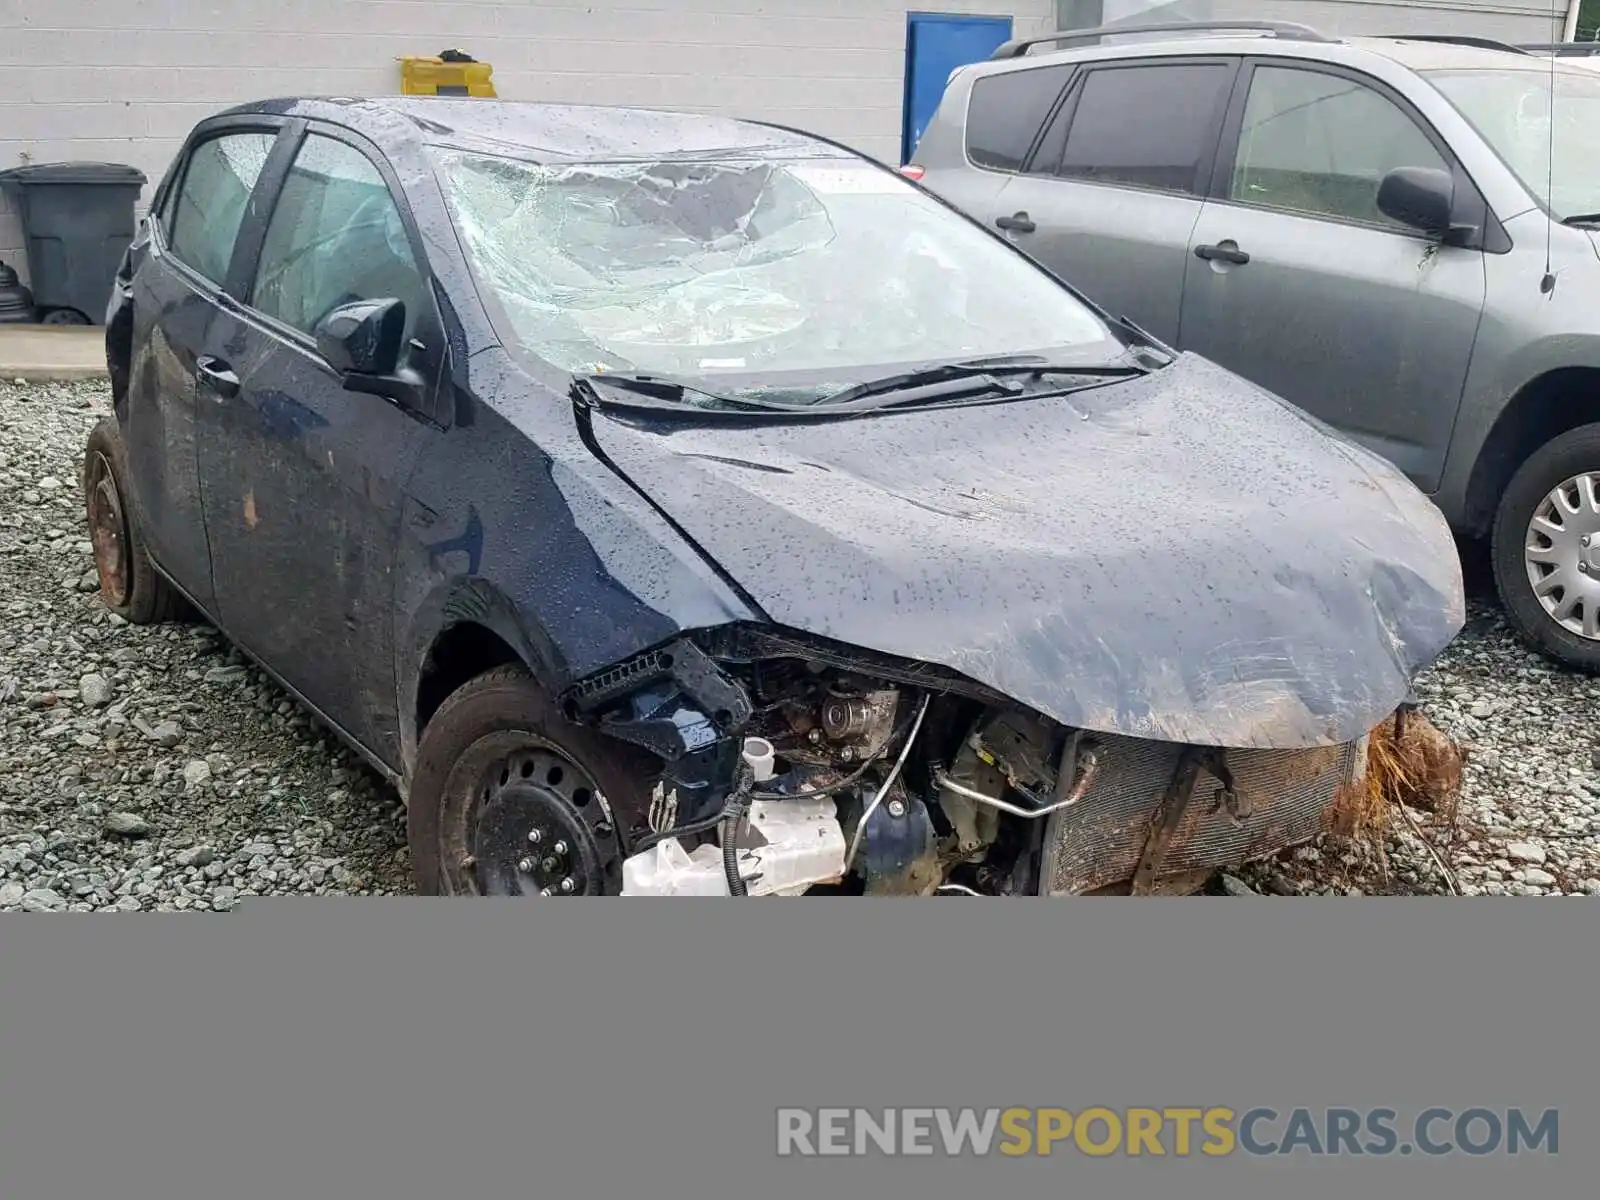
point(129, 583)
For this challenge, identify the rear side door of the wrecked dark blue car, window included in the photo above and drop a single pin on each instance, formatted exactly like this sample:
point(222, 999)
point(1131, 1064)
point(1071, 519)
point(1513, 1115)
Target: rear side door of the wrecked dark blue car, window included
point(177, 295)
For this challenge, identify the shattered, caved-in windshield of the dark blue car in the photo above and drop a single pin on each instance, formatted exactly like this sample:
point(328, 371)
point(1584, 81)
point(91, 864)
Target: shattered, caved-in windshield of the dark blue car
point(756, 276)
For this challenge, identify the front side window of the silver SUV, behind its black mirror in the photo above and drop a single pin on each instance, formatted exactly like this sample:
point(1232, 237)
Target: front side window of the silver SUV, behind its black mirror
point(1321, 145)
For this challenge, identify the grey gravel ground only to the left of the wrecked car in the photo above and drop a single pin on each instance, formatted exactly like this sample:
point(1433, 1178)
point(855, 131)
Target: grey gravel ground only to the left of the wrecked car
point(150, 767)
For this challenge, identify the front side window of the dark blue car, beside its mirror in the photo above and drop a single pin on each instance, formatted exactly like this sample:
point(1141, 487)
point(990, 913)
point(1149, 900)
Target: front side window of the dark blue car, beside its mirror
point(335, 238)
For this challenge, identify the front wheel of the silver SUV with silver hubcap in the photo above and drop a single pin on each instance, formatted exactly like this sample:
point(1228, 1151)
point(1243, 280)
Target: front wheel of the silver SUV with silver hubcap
point(1546, 550)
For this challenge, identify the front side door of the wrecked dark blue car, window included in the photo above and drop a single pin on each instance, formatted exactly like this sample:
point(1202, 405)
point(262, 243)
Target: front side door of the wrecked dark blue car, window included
point(303, 481)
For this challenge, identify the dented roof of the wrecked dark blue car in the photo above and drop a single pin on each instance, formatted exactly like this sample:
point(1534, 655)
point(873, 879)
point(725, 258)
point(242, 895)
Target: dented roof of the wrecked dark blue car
point(550, 132)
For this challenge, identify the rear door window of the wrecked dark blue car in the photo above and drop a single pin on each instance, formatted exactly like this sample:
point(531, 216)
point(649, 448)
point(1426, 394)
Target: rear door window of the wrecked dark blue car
point(212, 202)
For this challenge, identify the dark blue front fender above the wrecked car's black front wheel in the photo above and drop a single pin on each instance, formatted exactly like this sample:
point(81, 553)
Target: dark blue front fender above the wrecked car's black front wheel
point(513, 524)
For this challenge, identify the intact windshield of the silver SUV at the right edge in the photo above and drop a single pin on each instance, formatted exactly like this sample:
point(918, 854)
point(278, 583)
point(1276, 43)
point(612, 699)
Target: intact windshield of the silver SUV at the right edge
point(1513, 110)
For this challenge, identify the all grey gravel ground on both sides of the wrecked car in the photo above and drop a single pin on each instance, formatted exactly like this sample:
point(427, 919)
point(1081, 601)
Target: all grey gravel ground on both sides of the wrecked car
point(151, 769)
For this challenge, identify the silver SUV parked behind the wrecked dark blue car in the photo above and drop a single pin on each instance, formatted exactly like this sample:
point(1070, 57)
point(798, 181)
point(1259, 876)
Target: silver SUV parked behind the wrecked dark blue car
point(1401, 236)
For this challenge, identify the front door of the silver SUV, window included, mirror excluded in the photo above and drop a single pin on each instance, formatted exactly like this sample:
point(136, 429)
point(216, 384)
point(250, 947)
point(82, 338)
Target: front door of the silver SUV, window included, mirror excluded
point(1298, 282)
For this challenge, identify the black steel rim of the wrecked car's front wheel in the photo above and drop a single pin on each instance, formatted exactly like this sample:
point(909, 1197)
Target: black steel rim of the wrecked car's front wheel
point(527, 820)
